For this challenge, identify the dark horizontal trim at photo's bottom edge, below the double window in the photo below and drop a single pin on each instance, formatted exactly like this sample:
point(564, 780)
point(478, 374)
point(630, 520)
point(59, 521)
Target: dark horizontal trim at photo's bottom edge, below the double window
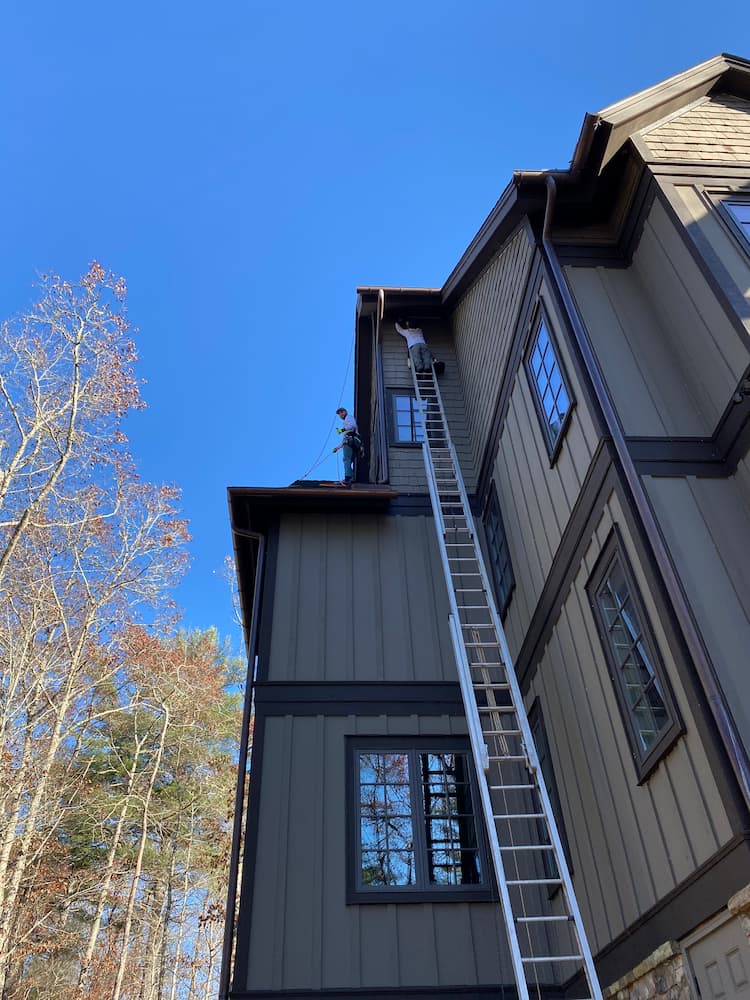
point(499, 991)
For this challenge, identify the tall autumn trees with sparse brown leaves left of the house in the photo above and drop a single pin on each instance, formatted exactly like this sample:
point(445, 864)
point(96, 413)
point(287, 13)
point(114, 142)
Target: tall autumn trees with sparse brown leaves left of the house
point(118, 729)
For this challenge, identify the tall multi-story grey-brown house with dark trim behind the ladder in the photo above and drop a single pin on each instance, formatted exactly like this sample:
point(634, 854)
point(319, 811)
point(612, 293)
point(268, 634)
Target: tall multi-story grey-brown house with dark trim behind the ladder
point(596, 343)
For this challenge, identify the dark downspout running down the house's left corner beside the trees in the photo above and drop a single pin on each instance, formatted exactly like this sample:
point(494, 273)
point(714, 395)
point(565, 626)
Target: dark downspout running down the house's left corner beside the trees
point(242, 757)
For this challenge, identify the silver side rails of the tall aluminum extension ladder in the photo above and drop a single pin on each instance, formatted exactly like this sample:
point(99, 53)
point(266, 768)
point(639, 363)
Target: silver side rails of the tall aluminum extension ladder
point(477, 735)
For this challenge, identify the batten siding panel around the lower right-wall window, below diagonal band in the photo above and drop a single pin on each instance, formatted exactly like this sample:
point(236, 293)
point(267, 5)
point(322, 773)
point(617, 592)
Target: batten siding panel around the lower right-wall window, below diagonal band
point(638, 842)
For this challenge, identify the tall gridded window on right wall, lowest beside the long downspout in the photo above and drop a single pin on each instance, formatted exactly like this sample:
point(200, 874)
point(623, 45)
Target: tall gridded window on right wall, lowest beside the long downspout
point(640, 683)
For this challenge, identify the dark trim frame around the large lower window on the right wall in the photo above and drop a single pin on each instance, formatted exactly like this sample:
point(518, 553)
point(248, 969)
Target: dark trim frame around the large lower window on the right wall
point(645, 763)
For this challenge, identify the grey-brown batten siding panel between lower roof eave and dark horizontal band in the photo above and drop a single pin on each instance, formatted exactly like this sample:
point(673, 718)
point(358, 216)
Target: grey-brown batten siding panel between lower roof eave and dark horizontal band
point(359, 597)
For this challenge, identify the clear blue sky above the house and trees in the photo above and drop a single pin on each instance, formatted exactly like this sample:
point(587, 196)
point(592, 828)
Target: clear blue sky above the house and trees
point(246, 165)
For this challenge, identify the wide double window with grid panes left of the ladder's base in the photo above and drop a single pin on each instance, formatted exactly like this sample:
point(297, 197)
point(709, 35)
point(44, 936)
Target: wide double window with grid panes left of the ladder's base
point(415, 830)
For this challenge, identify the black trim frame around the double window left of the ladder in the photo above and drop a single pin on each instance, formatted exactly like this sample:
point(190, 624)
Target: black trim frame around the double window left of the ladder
point(482, 892)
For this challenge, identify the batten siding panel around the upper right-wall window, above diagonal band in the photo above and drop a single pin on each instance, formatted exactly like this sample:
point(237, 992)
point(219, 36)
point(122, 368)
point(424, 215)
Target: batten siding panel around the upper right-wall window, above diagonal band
point(537, 498)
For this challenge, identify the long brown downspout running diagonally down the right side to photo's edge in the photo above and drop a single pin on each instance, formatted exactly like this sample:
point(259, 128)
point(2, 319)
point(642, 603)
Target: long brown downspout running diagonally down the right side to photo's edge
point(702, 661)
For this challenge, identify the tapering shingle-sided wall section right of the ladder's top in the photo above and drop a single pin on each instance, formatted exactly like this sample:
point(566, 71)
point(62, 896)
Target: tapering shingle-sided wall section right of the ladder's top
point(483, 325)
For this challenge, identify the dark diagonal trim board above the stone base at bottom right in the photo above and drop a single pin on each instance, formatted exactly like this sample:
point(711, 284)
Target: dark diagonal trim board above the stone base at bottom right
point(696, 899)
